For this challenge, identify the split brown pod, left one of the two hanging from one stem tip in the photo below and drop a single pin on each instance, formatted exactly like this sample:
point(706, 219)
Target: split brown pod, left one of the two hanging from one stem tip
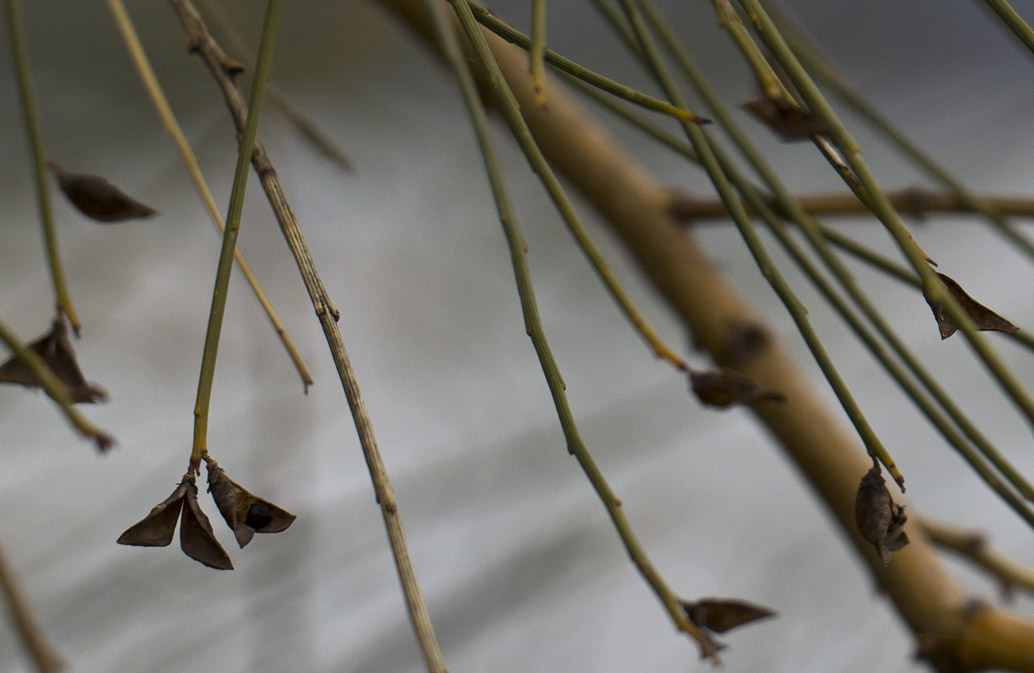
point(197, 538)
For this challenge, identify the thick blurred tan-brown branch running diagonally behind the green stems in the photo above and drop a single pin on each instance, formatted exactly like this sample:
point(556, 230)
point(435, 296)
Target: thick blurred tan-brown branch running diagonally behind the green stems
point(954, 633)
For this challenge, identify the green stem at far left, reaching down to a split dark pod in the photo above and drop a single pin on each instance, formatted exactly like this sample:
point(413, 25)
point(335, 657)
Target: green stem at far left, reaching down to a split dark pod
point(29, 109)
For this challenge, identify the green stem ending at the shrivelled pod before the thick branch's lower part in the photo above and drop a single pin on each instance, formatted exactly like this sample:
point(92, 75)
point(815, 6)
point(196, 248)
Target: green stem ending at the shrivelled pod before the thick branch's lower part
point(704, 147)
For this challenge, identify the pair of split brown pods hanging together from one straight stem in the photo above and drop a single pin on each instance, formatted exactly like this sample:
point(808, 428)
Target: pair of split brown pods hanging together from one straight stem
point(245, 513)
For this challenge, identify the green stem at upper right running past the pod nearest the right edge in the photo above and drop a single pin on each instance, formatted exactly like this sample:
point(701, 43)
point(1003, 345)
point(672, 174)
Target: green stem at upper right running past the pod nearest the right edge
point(933, 288)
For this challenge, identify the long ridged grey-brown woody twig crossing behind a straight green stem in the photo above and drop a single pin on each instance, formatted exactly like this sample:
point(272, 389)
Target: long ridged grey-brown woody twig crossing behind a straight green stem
point(328, 316)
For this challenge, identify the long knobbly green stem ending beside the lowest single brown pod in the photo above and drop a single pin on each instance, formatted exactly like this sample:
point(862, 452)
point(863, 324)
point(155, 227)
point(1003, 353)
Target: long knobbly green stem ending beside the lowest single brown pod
point(533, 323)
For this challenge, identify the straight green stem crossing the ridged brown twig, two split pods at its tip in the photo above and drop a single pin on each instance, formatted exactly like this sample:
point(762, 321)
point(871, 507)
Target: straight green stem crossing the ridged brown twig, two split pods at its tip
point(263, 68)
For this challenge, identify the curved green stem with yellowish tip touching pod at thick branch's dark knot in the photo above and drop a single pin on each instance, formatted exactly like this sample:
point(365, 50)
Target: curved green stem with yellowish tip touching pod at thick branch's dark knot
point(511, 111)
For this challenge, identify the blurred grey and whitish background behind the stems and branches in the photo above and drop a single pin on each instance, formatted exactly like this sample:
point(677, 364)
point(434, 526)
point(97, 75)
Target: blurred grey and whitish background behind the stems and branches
point(520, 566)
